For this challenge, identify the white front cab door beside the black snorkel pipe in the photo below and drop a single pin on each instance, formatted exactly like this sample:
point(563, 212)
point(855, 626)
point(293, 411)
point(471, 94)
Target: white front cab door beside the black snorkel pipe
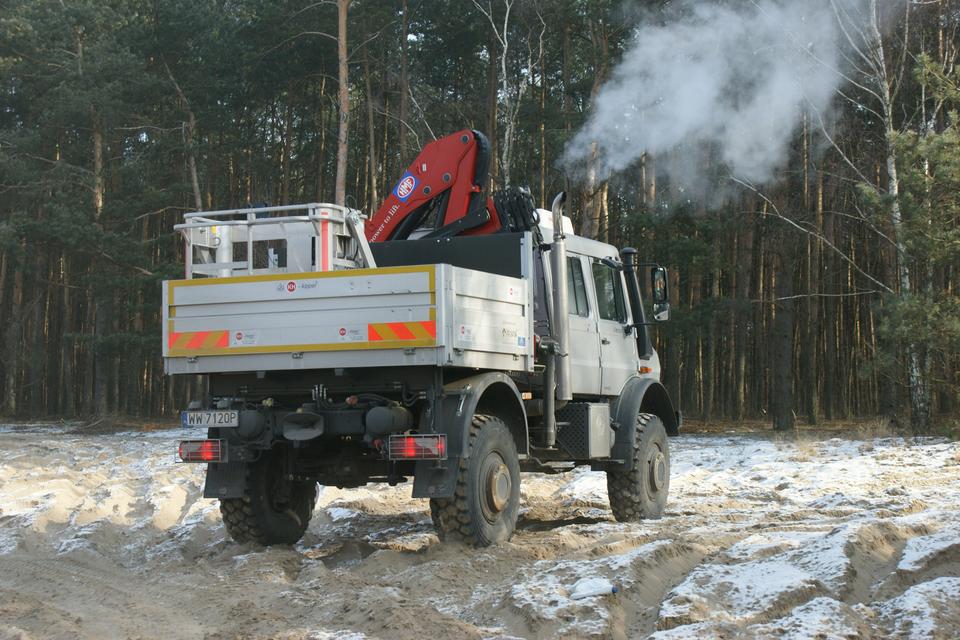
point(618, 347)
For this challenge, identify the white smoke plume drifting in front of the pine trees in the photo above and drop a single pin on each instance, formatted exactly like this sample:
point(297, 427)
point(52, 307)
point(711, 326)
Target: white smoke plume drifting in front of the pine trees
point(731, 79)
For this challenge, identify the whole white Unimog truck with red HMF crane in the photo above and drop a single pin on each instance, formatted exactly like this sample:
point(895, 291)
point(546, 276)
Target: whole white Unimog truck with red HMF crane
point(452, 337)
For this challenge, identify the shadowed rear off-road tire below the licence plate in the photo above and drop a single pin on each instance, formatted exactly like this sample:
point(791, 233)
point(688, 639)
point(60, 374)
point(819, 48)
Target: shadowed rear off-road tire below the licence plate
point(259, 519)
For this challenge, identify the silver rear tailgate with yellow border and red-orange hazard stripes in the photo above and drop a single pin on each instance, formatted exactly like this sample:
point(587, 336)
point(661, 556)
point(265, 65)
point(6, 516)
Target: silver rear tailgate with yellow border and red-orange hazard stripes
point(230, 324)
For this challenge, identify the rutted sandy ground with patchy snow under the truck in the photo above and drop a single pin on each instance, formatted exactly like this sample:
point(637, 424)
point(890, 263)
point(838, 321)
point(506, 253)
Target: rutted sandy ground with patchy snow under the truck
point(106, 536)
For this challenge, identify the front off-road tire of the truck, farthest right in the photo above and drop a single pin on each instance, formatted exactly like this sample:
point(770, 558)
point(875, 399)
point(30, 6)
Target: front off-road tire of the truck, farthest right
point(634, 495)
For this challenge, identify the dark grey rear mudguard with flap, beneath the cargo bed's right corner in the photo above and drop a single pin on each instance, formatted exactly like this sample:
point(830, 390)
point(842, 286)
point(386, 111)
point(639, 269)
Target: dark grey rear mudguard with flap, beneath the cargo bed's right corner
point(493, 393)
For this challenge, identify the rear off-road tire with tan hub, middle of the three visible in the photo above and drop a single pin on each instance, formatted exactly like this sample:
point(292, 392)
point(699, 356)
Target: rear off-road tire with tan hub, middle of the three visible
point(467, 515)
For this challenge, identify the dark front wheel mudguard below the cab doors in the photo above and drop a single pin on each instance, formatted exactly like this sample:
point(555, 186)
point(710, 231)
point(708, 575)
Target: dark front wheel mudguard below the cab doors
point(639, 395)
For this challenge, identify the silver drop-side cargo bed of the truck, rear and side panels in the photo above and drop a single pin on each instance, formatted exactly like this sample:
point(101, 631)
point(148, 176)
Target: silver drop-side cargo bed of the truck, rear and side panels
point(436, 314)
